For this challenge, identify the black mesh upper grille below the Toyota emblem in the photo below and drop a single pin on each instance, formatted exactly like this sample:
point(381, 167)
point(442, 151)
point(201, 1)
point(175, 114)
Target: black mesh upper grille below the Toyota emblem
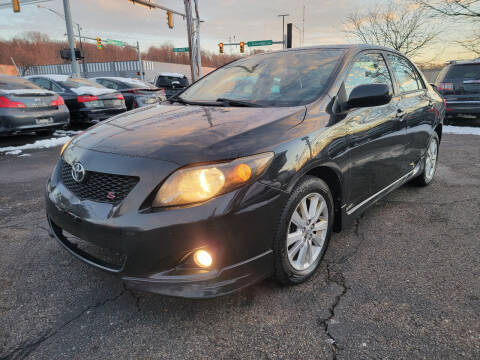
point(97, 186)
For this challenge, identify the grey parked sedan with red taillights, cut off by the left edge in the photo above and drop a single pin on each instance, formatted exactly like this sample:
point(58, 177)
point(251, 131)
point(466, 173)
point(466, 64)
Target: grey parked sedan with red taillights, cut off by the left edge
point(26, 107)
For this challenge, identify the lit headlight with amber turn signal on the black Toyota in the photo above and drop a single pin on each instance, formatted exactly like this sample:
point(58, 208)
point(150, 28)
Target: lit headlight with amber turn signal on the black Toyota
point(200, 183)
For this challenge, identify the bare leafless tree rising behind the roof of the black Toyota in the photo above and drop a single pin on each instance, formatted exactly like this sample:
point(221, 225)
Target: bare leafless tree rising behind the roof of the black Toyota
point(396, 25)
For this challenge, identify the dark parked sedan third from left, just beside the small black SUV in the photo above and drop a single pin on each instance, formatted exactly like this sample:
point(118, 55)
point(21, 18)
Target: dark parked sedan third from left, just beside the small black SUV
point(137, 93)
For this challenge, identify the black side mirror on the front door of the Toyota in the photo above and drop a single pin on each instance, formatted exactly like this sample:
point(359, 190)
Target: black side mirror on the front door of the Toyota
point(369, 95)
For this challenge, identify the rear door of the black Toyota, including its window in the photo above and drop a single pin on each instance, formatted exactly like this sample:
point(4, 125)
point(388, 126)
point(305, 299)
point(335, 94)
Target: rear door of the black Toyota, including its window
point(415, 108)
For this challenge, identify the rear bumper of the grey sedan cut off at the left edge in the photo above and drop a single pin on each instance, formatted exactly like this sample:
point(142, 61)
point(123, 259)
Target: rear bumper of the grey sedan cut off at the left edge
point(17, 120)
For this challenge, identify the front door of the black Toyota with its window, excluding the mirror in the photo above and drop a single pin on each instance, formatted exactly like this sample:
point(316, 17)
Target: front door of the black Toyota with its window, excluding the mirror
point(376, 136)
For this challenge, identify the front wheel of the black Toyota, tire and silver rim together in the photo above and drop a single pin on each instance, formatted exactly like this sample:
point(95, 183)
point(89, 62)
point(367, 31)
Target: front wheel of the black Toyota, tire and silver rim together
point(304, 231)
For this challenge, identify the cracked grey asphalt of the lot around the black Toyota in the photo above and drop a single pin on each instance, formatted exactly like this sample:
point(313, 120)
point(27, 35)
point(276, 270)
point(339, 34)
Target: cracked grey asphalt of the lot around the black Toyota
point(403, 283)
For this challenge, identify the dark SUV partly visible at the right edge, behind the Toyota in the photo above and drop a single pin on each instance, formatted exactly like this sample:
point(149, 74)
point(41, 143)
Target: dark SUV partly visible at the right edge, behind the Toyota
point(459, 84)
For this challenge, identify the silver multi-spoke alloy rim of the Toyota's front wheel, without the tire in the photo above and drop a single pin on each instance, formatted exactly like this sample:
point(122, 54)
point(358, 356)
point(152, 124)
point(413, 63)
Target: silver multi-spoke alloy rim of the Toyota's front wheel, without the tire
point(307, 231)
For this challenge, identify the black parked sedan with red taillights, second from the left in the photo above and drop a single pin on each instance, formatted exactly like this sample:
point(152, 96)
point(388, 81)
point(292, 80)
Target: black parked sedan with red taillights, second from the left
point(86, 100)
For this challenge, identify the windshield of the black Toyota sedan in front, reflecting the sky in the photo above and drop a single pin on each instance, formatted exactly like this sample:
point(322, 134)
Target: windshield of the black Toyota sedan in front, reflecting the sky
point(277, 79)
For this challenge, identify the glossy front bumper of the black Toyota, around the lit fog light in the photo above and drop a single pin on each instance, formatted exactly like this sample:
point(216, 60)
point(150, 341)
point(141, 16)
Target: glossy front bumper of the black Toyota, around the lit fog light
point(237, 228)
